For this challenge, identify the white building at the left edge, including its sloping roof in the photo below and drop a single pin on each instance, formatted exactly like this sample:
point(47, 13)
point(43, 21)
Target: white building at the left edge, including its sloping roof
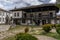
point(3, 15)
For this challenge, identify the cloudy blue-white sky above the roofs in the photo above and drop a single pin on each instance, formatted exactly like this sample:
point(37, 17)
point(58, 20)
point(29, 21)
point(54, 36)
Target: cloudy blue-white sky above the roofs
point(10, 4)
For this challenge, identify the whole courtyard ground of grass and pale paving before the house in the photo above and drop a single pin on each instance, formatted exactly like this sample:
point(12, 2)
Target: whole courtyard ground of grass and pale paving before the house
point(7, 33)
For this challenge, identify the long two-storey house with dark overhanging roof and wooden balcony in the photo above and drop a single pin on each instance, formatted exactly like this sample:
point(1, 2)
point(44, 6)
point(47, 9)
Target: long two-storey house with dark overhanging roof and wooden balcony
point(35, 15)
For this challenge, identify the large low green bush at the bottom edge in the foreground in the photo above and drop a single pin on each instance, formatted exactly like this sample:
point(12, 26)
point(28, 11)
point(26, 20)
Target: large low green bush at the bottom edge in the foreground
point(23, 36)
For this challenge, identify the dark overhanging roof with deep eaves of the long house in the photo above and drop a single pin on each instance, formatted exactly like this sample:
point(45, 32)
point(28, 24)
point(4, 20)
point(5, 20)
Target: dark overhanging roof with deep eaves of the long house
point(43, 7)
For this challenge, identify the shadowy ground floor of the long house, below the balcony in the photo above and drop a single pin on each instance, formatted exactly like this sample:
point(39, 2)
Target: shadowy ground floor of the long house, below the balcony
point(34, 22)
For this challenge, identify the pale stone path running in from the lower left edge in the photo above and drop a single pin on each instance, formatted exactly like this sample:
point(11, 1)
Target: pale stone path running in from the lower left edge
point(9, 33)
